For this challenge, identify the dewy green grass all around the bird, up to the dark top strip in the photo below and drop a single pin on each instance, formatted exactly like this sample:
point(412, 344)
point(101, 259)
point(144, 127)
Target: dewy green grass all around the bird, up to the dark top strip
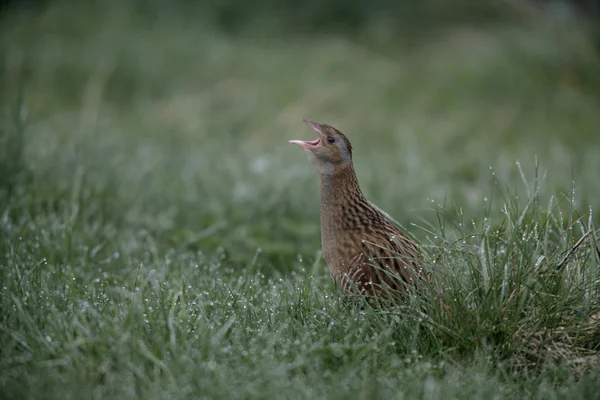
point(160, 239)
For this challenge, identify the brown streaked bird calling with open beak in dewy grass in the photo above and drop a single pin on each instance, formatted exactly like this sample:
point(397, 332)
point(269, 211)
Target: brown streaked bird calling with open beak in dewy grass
point(364, 249)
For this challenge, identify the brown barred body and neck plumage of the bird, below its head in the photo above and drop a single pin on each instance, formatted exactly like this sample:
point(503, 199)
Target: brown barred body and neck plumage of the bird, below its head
point(363, 249)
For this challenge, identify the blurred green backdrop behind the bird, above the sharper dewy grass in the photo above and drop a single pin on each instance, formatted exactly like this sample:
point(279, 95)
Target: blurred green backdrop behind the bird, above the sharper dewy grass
point(181, 111)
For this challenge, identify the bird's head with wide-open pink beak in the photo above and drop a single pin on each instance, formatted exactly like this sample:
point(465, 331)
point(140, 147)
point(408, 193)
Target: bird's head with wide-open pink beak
point(330, 150)
